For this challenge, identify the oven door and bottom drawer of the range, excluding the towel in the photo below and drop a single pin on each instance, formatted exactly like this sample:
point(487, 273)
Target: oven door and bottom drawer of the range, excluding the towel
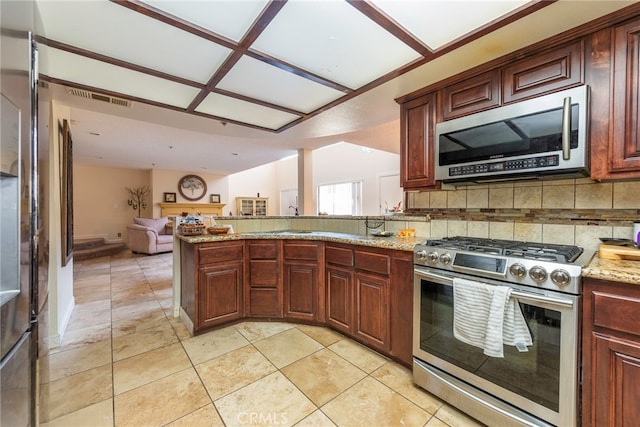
point(542, 381)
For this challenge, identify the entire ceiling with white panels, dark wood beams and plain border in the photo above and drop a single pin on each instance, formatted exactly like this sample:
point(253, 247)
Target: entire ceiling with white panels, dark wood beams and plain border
point(222, 86)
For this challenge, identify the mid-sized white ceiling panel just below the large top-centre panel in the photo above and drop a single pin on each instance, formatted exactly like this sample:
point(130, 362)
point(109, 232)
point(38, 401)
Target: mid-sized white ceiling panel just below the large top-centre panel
point(265, 82)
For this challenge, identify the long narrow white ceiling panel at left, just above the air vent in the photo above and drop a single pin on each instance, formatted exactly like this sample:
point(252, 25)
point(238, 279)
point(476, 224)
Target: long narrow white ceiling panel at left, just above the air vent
point(84, 71)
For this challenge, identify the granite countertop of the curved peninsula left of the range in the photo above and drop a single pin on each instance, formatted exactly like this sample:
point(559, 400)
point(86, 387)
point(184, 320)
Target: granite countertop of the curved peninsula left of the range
point(392, 242)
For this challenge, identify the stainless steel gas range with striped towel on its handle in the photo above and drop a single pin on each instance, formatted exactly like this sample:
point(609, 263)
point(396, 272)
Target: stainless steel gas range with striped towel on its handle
point(527, 384)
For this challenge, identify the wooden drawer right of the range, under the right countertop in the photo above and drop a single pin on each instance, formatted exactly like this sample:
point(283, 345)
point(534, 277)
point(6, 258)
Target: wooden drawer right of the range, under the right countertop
point(616, 312)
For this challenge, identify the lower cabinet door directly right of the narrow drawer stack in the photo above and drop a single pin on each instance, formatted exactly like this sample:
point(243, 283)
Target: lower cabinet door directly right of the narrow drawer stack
point(300, 290)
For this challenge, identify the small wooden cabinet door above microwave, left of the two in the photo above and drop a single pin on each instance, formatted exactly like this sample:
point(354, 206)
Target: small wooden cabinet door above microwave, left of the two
point(472, 95)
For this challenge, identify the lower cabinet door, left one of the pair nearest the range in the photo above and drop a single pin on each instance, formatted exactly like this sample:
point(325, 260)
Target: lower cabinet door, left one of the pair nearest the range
point(339, 298)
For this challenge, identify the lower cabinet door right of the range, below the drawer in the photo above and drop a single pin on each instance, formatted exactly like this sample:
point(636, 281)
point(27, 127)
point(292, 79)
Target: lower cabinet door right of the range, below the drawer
point(616, 382)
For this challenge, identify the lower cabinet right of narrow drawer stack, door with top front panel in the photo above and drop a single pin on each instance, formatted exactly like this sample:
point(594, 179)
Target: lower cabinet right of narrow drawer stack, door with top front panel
point(303, 280)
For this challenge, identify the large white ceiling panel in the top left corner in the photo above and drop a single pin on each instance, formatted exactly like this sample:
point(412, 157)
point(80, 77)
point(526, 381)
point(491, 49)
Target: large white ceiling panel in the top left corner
point(112, 30)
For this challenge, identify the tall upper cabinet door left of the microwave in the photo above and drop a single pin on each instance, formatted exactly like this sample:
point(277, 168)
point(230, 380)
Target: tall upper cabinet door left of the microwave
point(417, 121)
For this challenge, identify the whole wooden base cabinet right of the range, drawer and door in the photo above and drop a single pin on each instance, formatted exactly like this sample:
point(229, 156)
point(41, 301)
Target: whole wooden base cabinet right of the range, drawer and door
point(611, 354)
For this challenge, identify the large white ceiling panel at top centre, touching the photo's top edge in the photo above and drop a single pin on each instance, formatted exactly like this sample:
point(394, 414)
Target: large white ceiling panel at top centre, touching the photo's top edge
point(333, 40)
